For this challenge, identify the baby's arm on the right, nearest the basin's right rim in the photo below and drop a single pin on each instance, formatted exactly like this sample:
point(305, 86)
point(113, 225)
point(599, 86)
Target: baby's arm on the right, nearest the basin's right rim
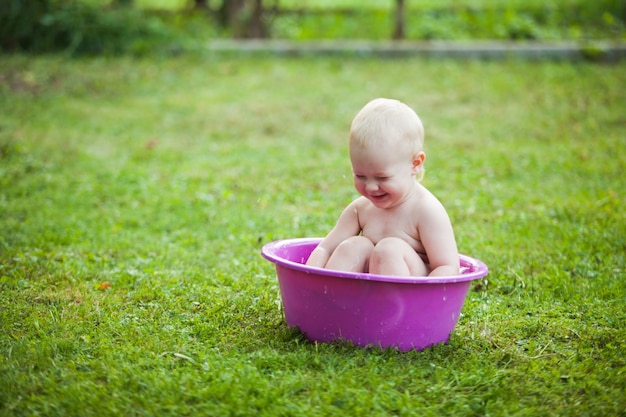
point(437, 236)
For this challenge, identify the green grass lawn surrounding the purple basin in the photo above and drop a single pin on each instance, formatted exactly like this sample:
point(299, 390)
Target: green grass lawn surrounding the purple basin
point(165, 178)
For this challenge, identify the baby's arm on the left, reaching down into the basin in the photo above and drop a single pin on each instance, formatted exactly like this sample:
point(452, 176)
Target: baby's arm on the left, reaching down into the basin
point(347, 226)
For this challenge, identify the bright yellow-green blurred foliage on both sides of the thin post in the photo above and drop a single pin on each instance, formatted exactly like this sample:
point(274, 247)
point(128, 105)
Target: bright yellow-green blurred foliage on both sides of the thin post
point(571, 20)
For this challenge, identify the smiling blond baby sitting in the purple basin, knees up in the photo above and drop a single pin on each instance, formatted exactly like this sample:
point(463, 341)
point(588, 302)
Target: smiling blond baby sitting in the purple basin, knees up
point(397, 227)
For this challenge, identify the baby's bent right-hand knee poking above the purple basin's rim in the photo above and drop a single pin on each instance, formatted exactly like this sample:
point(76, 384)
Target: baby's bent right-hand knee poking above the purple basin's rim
point(393, 256)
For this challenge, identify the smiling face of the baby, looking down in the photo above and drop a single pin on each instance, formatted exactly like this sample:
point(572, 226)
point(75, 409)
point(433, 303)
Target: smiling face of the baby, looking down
point(383, 175)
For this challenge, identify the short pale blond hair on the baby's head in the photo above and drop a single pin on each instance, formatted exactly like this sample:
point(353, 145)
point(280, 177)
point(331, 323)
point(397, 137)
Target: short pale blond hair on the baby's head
point(385, 121)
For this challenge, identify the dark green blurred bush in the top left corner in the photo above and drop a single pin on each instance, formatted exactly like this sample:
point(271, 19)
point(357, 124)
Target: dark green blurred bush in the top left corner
point(78, 28)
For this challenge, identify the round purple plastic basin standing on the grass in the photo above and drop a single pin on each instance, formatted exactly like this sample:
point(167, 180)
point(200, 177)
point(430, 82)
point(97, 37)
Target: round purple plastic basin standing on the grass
point(366, 309)
